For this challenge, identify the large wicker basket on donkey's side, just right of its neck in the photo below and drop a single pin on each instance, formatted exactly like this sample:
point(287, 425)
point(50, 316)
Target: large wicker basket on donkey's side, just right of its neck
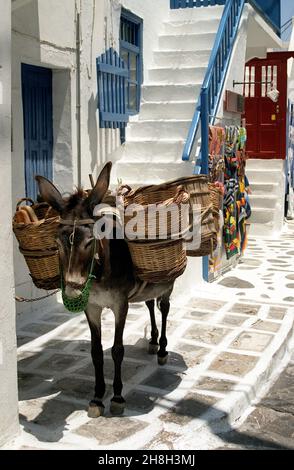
point(158, 259)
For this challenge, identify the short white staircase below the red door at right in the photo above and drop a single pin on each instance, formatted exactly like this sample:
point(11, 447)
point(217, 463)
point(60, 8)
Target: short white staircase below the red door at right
point(267, 181)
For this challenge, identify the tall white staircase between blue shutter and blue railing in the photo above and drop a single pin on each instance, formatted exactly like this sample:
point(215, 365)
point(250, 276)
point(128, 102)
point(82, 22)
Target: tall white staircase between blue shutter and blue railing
point(155, 138)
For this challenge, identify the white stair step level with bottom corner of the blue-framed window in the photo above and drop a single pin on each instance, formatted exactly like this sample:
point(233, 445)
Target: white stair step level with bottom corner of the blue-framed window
point(167, 110)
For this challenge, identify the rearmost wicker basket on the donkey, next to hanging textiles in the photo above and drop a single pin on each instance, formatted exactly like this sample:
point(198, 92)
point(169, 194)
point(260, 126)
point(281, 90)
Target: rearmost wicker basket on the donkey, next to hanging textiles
point(200, 196)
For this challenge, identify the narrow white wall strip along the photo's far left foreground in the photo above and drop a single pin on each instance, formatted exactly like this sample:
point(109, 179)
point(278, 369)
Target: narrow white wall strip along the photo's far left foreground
point(8, 379)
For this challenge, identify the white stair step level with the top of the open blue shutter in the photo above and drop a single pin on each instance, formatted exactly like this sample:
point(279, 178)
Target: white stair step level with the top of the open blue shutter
point(181, 58)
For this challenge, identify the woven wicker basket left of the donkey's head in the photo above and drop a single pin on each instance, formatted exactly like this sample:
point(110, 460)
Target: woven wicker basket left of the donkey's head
point(38, 245)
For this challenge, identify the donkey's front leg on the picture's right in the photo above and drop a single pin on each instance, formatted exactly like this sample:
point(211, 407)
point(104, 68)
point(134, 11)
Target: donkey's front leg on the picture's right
point(117, 402)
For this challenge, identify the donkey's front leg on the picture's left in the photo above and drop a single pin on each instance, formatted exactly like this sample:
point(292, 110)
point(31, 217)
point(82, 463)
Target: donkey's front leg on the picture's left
point(96, 407)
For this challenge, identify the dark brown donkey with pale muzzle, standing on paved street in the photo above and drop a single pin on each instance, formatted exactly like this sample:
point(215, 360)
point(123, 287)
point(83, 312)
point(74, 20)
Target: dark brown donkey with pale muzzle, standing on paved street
point(114, 285)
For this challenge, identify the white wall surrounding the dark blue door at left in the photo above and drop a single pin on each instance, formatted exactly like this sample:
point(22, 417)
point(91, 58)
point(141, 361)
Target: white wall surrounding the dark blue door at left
point(35, 42)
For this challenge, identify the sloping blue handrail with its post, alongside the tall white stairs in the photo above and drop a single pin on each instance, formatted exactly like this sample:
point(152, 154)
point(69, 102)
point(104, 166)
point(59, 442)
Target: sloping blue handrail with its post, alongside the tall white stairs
point(214, 80)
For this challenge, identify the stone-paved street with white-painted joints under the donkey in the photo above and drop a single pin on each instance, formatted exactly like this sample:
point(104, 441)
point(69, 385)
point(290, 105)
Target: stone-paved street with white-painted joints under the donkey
point(226, 345)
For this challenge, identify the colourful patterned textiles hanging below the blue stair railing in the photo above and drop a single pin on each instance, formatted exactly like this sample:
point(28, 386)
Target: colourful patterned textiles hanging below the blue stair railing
point(228, 183)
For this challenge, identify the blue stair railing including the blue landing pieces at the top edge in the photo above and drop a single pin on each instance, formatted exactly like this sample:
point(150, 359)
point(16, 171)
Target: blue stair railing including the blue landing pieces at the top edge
point(214, 80)
